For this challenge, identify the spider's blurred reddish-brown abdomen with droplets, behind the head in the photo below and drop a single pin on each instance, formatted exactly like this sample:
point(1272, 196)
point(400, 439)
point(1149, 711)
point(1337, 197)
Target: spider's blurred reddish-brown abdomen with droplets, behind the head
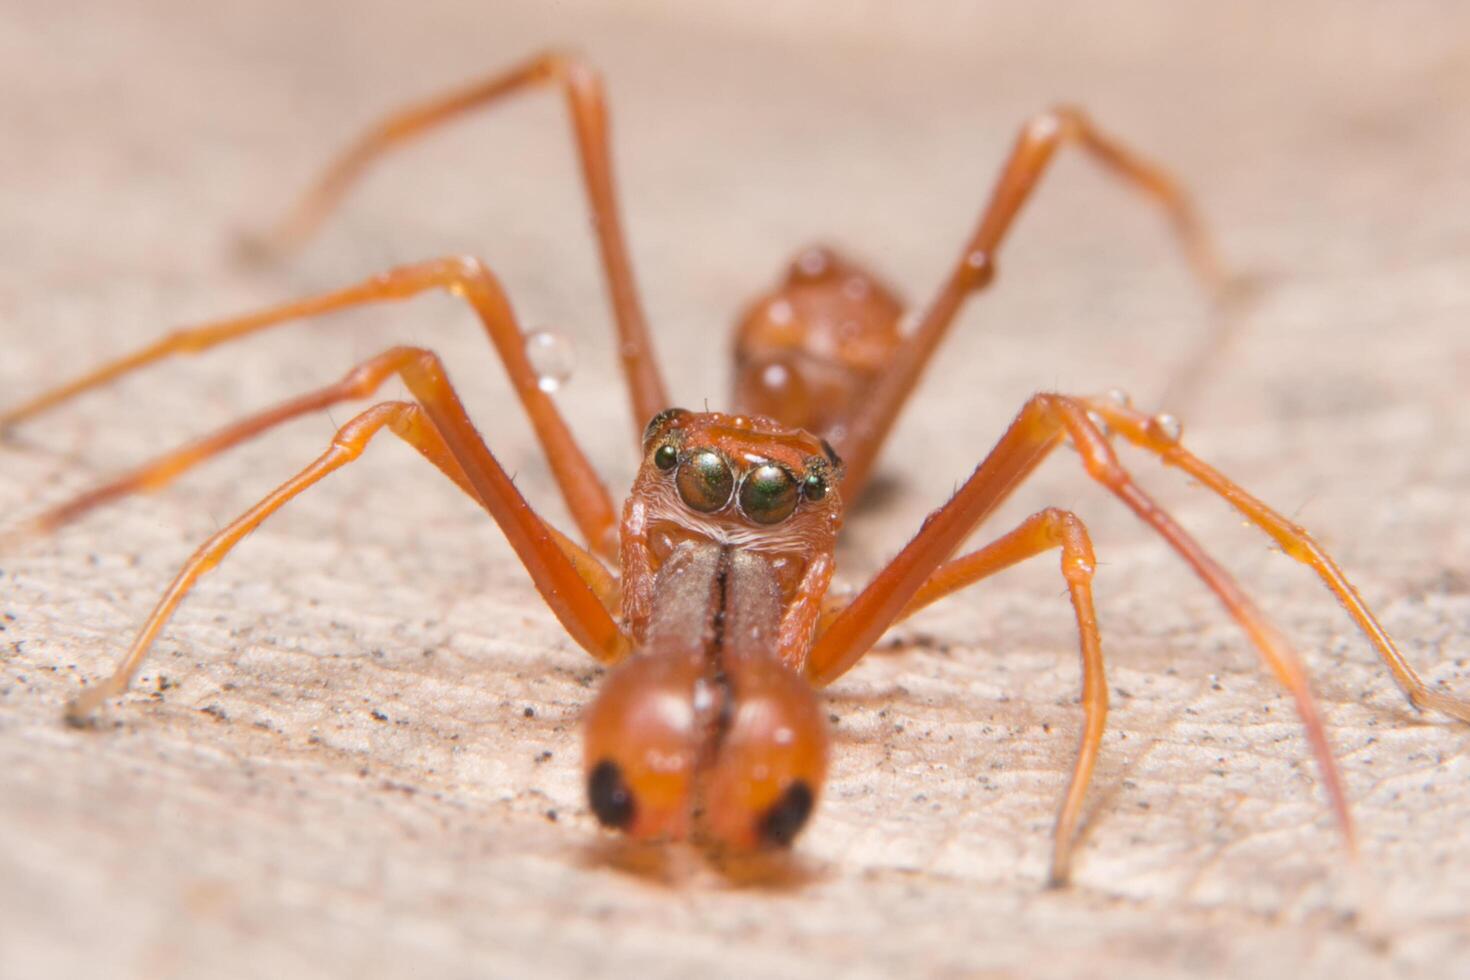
point(809, 350)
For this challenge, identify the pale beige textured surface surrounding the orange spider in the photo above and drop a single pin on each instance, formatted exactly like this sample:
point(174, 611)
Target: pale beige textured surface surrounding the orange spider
point(261, 819)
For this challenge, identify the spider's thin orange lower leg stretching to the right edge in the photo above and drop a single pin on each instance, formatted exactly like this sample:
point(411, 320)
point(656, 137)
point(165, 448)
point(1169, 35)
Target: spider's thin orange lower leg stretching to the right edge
point(1294, 540)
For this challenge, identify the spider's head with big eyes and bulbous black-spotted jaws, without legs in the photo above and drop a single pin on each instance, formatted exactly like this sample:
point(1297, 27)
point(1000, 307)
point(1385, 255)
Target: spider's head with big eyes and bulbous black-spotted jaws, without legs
point(709, 728)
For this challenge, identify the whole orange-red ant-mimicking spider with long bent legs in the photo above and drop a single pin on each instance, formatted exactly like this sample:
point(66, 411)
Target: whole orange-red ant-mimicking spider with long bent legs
point(708, 596)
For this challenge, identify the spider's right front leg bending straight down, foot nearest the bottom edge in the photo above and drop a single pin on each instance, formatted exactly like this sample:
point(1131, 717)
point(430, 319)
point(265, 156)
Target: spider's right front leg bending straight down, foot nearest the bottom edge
point(1039, 534)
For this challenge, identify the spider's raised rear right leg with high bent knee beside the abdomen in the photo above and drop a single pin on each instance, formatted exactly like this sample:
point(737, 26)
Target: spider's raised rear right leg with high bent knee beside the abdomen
point(1036, 148)
